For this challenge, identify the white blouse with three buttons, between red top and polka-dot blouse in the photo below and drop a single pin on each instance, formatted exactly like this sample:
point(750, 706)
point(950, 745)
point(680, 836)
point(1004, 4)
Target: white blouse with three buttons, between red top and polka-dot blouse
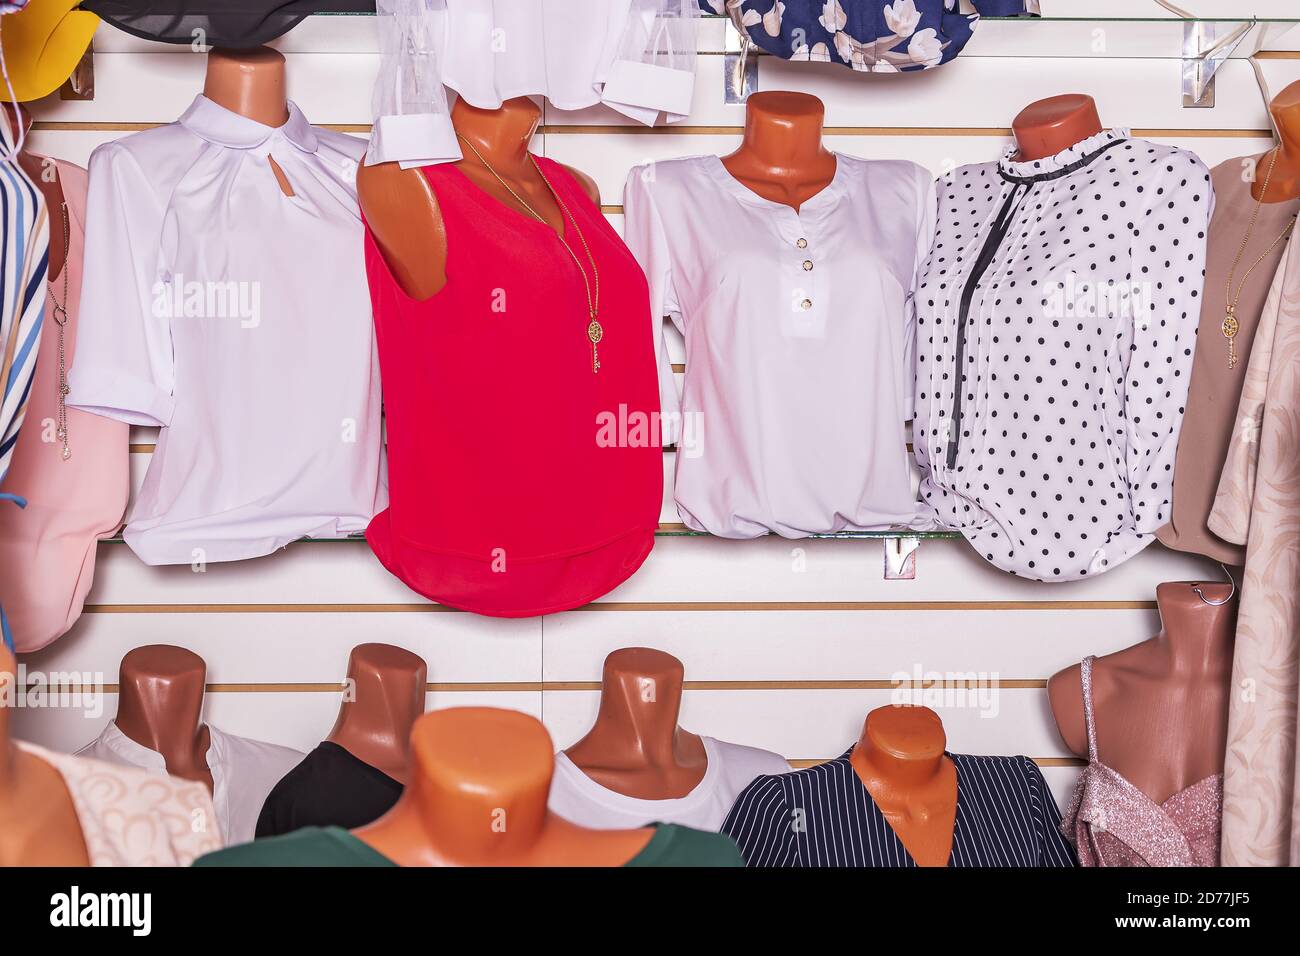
point(799, 343)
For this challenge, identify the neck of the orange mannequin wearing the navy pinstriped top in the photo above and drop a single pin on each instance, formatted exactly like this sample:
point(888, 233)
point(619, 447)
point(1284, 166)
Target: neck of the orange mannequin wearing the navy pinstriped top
point(902, 749)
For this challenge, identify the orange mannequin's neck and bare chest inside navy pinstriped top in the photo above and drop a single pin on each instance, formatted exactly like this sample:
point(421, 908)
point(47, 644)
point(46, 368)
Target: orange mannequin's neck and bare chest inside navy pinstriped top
point(900, 760)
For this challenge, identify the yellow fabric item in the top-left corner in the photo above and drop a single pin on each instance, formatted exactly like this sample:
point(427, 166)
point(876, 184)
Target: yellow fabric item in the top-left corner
point(42, 45)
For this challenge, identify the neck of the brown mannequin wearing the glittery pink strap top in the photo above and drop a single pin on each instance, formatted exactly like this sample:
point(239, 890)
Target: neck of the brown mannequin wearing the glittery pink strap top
point(1197, 637)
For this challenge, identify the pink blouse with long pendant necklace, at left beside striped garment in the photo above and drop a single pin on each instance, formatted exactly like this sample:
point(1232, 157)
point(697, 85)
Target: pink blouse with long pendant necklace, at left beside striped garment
point(47, 550)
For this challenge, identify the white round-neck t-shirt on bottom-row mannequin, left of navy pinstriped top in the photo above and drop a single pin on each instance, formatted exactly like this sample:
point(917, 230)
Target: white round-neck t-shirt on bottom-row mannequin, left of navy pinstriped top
point(731, 767)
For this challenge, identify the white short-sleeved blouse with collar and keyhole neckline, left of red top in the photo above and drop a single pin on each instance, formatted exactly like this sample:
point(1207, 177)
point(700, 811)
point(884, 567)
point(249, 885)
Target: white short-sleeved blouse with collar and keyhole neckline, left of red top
point(239, 321)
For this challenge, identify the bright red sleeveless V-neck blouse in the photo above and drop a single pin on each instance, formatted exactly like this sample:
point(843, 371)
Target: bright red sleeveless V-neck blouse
point(521, 483)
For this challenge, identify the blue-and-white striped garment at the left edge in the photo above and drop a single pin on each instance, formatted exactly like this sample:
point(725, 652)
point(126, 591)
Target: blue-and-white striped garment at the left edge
point(24, 233)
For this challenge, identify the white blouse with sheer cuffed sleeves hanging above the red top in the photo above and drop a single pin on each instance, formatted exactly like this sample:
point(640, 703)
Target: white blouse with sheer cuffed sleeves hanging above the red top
point(635, 57)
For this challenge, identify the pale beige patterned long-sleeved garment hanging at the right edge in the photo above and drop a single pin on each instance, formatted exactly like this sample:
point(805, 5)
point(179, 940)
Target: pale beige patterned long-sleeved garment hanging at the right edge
point(1259, 505)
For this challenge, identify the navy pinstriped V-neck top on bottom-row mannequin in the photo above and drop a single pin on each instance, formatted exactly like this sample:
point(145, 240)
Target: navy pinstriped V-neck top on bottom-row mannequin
point(824, 816)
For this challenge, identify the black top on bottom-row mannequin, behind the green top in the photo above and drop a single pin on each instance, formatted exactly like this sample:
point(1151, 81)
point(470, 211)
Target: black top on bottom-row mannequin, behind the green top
point(330, 788)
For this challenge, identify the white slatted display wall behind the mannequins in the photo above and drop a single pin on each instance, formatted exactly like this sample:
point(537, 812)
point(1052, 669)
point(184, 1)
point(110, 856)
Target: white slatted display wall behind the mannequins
point(787, 644)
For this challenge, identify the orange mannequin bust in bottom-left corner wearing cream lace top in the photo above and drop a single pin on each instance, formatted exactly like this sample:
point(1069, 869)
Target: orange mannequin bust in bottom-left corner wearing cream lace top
point(38, 819)
